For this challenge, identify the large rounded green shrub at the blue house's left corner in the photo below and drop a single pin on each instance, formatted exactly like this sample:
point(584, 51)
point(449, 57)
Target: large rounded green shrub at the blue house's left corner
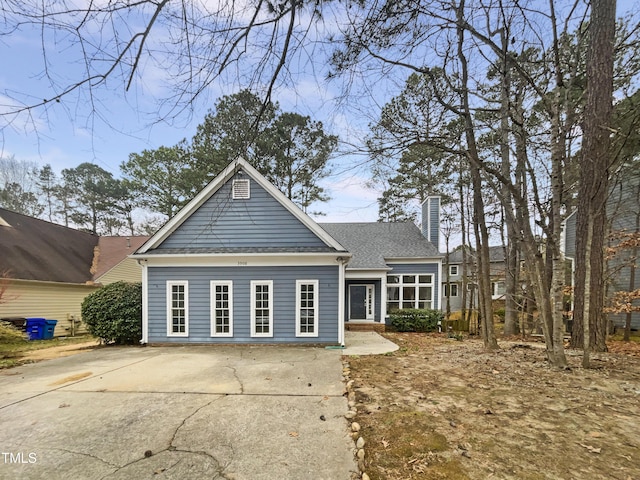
point(114, 313)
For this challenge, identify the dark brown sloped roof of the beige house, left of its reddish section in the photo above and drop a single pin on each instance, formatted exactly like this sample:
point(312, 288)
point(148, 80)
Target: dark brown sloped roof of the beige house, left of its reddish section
point(34, 249)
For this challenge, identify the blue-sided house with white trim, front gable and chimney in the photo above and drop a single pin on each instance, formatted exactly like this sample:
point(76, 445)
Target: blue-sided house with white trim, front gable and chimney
point(241, 263)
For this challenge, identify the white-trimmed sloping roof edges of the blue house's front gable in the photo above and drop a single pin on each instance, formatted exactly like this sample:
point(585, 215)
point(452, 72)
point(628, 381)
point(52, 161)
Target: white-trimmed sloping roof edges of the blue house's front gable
point(238, 165)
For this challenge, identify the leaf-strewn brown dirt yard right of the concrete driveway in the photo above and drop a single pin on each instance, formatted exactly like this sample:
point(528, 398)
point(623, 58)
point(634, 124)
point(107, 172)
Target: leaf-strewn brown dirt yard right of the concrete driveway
point(445, 409)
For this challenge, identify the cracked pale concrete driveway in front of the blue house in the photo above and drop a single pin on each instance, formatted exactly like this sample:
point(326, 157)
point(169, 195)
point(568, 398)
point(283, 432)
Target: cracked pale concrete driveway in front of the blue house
point(179, 413)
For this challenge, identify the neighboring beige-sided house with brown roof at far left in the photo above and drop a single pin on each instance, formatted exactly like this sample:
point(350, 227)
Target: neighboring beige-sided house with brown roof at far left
point(49, 269)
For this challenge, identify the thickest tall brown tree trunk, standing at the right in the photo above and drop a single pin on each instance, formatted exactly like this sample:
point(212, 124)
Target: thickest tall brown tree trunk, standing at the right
point(594, 185)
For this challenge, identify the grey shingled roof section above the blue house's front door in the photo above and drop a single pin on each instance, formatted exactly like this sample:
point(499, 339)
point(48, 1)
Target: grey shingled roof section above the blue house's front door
point(372, 244)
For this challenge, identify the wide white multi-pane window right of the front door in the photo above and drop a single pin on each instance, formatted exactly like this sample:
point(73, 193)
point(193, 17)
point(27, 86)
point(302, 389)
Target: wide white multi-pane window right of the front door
point(409, 291)
